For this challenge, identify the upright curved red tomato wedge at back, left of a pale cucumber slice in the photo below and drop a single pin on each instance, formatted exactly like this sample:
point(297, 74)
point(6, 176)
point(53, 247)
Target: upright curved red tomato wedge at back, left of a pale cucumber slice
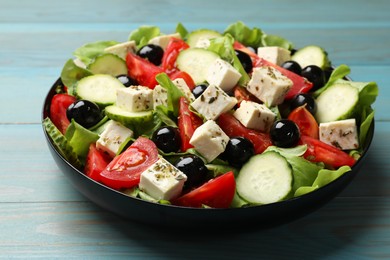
point(174, 47)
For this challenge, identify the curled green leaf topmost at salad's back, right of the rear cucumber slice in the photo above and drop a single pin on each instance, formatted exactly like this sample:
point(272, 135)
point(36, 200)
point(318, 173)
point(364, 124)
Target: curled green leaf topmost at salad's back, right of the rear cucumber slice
point(245, 35)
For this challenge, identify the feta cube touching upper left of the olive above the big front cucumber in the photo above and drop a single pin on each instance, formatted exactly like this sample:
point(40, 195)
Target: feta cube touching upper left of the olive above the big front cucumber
point(255, 116)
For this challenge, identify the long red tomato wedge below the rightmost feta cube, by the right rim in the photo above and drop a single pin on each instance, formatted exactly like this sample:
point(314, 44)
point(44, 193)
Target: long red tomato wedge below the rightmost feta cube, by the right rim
point(318, 151)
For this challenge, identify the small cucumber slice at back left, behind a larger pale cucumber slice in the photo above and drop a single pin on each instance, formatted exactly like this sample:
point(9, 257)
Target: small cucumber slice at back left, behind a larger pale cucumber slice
point(108, 63)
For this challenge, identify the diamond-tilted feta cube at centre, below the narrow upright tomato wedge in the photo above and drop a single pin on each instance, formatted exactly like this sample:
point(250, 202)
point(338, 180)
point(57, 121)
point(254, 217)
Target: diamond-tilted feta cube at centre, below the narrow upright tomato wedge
point(209, 140)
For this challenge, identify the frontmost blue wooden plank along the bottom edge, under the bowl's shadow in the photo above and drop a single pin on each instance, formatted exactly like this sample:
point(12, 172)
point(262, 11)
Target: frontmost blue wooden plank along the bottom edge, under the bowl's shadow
point(346, 228)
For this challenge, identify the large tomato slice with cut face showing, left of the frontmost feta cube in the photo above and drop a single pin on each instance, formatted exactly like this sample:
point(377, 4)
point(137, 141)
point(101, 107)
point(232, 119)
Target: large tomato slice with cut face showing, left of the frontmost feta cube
point(124, 171)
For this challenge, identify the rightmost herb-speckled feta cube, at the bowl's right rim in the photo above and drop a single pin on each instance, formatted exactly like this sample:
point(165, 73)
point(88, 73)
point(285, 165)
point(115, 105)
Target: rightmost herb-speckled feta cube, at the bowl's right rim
point(342, 134)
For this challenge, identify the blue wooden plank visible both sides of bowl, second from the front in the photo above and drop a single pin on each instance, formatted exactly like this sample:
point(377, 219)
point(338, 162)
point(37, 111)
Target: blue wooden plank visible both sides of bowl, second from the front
point(29, 173)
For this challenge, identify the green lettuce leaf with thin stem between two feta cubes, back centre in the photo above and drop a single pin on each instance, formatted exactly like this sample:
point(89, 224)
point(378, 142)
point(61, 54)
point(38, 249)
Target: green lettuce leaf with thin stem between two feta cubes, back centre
point(223, 46)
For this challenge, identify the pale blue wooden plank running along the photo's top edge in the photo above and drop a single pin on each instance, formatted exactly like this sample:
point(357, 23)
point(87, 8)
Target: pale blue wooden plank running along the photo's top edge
point(201, 11)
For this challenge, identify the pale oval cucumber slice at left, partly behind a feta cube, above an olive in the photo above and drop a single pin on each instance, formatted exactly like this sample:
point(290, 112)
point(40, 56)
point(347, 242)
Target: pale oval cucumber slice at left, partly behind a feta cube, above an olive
point(99, 88)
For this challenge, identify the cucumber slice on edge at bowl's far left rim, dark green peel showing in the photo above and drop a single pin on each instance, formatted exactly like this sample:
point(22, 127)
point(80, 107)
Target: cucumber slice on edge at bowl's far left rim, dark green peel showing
point(61, 143)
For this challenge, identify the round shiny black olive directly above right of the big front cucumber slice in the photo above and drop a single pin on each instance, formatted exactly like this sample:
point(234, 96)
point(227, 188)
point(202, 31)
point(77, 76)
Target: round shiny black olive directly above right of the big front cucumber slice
point(284, 133)
